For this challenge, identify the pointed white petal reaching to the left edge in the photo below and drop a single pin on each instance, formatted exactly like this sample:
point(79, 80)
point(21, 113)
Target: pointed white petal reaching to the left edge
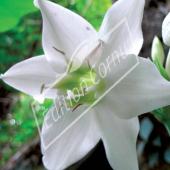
point(29, 75)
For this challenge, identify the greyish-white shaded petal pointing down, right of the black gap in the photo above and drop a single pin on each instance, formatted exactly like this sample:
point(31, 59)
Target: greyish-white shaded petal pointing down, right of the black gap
point(119, 138)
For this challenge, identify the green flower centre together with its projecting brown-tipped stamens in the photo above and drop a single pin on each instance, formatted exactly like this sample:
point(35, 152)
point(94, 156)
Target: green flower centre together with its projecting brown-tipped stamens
point(79, 87)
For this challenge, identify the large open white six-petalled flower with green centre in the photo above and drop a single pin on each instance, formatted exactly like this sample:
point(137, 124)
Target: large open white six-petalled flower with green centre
point(141, 91)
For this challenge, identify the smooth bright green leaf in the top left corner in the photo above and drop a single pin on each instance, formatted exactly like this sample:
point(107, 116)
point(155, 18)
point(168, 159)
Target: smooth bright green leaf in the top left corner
point(11, 11)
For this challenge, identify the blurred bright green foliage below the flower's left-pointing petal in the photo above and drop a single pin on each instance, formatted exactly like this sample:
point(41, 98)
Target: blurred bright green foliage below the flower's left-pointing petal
point(20, 126)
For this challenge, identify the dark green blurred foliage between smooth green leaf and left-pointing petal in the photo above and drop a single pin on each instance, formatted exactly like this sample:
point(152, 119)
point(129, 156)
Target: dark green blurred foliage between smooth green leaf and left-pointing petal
point(19, 43)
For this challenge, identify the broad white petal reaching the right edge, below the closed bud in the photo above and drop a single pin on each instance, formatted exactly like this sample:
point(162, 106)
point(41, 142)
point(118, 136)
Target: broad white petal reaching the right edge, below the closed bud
point(139, 91)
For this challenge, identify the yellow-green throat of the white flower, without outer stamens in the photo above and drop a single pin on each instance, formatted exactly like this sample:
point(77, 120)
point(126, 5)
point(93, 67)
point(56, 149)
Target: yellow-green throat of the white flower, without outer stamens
point(79, 87)
